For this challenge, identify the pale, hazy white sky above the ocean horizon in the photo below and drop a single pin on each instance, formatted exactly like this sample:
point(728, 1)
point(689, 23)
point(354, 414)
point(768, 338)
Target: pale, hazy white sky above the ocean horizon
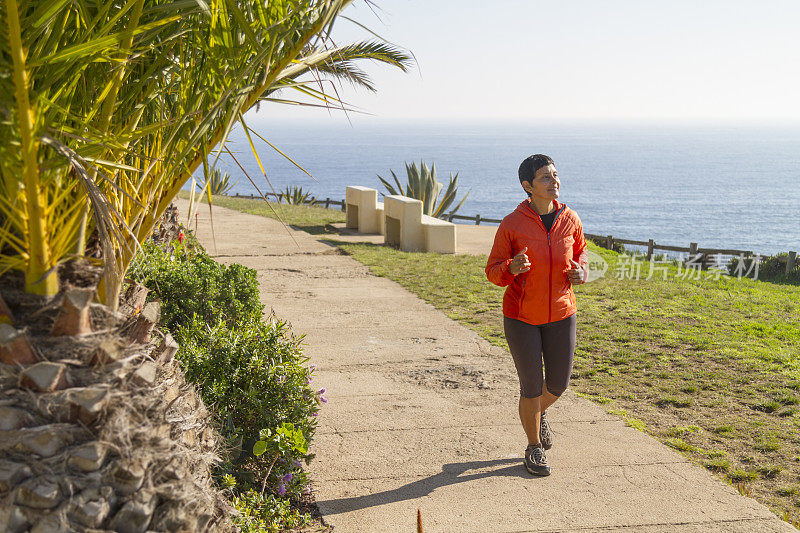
point(576, 60)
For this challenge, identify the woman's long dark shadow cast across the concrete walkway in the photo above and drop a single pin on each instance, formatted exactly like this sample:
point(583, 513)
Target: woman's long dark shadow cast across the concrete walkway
point(451, 474)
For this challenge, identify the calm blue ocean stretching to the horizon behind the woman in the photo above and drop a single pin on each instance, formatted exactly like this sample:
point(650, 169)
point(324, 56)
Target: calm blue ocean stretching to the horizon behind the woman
point(722, 186)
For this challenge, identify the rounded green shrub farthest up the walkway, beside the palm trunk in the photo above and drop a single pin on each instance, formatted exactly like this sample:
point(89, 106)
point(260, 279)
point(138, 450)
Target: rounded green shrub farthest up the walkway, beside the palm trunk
point(189, 282)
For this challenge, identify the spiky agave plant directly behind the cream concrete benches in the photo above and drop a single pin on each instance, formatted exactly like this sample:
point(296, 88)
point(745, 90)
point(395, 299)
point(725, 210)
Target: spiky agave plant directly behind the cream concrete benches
point(423, 185)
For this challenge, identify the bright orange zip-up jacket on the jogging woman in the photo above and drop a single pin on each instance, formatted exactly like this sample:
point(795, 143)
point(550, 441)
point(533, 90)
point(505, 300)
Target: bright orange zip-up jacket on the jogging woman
point(544, 293)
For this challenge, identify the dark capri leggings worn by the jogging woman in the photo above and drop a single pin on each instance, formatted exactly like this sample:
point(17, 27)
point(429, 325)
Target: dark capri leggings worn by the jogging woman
point(554, 341)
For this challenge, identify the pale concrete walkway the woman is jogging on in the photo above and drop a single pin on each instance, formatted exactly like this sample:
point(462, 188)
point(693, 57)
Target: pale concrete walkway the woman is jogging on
point(422, 415)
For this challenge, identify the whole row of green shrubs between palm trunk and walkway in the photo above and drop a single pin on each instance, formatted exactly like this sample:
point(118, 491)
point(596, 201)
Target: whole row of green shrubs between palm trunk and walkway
point(250, 372)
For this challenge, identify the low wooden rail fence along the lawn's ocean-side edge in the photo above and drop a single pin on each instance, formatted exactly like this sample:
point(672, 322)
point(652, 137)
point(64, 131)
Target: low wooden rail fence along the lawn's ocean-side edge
point(606, 241)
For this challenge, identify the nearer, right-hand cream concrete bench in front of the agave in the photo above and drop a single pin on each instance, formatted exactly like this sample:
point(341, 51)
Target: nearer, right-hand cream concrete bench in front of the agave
point(410, 230)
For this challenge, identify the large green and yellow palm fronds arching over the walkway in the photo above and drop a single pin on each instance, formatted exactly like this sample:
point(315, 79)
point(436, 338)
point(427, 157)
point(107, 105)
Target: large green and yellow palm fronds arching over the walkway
point(107, 108)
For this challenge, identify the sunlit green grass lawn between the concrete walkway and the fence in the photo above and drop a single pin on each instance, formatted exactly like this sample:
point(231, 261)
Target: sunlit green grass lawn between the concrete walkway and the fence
point(710, 367)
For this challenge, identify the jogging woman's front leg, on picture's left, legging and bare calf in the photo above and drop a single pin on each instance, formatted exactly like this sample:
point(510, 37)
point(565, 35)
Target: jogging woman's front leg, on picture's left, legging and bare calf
point(525, 345)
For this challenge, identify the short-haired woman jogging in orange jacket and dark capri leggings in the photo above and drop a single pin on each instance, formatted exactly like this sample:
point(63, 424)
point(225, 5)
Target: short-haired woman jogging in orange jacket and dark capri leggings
point(539, 252)
